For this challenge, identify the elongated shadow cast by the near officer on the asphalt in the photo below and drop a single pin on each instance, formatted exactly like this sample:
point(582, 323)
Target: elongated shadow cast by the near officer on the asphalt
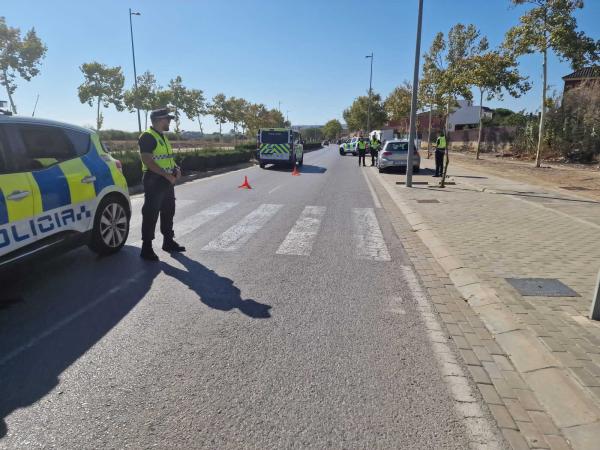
point(213, 290)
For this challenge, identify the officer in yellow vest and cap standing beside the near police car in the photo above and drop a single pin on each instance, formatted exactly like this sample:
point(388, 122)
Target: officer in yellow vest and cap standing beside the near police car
point(160, 175)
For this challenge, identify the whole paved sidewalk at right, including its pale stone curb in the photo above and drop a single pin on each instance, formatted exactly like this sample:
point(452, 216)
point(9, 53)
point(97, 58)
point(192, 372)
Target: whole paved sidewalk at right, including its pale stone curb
point(485, 230)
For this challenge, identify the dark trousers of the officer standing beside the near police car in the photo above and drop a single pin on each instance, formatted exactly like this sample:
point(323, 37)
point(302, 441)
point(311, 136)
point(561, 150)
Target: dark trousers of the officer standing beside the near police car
point(159, 198)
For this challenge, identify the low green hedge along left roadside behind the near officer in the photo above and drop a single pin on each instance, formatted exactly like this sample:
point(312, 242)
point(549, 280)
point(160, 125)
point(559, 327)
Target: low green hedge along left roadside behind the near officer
point(189, 161)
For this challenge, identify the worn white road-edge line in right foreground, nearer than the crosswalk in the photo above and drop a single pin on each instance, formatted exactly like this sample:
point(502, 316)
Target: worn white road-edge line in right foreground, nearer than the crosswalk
point(478, 426)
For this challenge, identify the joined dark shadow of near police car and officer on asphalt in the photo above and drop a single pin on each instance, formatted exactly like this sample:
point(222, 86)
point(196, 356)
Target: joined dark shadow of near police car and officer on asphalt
point(66, 306)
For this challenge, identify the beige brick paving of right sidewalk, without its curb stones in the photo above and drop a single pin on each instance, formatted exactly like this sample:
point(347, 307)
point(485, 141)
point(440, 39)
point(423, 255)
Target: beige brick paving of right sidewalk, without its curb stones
point(514, 230)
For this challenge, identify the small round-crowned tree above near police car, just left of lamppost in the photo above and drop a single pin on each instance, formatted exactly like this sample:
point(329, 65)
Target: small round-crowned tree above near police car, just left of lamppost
point(103, 85)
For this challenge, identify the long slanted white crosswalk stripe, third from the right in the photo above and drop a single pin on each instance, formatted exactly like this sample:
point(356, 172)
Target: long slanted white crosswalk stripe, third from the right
point(240, 233)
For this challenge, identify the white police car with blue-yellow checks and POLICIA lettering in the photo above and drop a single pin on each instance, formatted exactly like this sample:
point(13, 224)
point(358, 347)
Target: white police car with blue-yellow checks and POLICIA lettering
point(59, 188)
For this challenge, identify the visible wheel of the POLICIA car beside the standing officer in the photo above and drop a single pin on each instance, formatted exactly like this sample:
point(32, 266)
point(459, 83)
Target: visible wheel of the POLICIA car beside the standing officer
point(111, 226)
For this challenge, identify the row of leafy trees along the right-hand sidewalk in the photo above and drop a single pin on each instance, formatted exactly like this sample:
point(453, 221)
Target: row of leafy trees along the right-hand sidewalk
point(462, 61)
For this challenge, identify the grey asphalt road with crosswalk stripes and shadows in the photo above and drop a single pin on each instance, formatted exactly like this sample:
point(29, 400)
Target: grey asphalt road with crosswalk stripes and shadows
point(285, 324)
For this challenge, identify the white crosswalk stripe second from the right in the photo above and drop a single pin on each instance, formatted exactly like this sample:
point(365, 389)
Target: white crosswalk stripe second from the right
point(301, 238)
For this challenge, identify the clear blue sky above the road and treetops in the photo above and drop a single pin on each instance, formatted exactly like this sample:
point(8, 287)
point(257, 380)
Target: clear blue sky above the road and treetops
point(308, 55)
